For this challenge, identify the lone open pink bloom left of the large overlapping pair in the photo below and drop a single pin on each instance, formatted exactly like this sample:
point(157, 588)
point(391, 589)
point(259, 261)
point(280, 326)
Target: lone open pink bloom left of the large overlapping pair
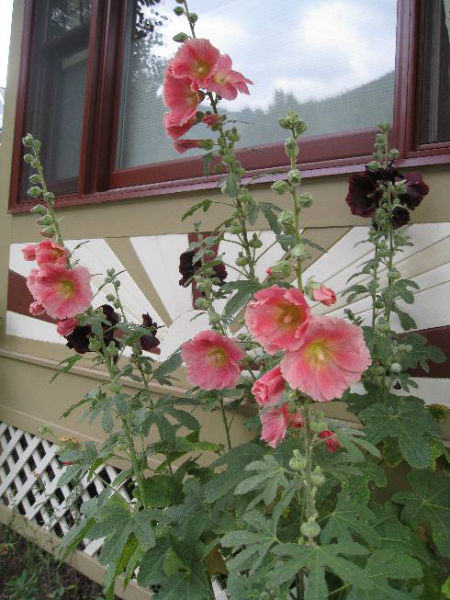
point(212, 361)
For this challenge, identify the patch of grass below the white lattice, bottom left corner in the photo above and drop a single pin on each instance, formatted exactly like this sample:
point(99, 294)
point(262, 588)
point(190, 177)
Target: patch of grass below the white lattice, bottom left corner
point(27, 572)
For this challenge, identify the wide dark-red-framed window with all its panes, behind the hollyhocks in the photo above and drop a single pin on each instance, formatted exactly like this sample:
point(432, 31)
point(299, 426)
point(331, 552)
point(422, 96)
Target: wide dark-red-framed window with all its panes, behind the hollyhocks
point(91, 75)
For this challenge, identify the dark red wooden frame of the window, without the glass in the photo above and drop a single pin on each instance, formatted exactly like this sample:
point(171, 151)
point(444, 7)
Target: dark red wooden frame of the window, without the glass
point(99, 181)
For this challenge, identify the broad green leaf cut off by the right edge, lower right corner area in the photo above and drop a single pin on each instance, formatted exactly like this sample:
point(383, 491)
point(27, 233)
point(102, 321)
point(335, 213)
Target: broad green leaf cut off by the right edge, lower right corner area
point(428, 503)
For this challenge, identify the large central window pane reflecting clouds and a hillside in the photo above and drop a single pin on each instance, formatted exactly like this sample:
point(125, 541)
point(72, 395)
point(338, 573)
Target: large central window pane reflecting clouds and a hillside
point(330, 60)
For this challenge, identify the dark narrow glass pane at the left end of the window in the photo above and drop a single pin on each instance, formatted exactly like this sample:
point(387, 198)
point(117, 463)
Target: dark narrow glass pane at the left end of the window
point(57, 87)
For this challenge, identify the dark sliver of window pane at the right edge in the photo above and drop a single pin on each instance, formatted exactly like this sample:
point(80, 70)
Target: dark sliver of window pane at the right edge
point(435, 118)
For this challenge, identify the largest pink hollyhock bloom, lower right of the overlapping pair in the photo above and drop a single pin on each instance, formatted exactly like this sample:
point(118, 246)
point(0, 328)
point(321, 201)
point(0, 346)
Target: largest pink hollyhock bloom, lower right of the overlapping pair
point(332, 355)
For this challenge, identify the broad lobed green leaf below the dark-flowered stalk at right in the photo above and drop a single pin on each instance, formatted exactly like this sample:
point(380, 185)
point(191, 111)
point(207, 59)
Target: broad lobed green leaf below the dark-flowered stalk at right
point(407, 420)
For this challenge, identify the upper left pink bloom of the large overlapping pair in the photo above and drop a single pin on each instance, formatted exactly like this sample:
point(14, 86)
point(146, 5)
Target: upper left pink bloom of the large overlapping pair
point(277, 318)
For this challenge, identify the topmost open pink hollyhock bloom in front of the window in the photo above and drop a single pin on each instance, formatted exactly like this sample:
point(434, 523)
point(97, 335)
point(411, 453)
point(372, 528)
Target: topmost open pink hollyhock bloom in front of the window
point(196, 60)
